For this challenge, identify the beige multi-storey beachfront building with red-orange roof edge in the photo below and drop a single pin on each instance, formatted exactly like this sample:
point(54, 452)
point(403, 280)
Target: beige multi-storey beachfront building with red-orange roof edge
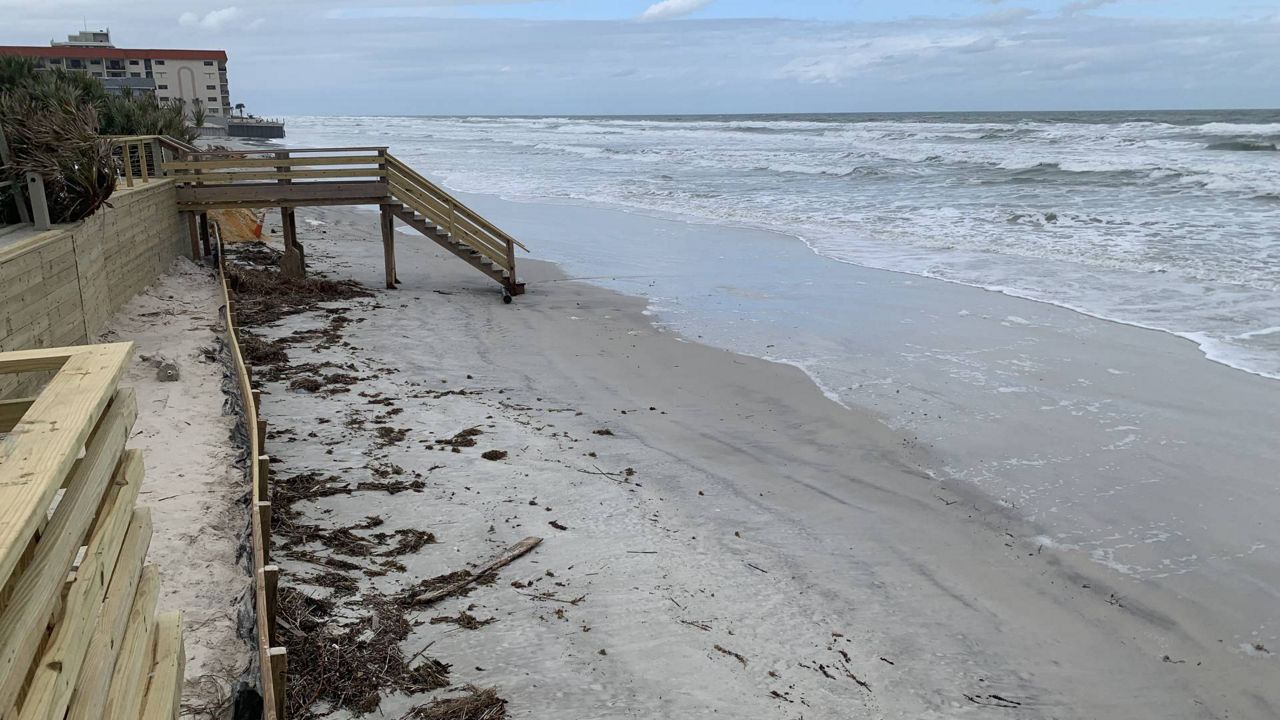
point(189, 76)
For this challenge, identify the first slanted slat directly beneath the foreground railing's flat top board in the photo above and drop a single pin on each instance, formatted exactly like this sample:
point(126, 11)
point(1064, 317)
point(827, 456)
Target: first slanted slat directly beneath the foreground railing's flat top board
point(36, 591)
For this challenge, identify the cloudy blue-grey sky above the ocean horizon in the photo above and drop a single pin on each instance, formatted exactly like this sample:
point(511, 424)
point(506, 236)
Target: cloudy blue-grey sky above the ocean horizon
point(650, 57)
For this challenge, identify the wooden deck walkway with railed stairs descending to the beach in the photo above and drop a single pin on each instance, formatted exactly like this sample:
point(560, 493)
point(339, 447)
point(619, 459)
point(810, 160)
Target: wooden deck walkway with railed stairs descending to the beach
point(342, 176)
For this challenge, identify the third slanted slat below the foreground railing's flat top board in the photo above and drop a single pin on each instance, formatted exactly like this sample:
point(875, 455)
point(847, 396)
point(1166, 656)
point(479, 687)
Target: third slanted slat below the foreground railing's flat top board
point(104, 648)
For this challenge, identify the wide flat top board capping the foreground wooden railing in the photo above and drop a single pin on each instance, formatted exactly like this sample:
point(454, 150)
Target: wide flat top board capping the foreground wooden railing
point(36, 457)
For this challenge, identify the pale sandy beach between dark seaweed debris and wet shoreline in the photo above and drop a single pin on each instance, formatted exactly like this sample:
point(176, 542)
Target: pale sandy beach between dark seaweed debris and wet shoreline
point(720, 537)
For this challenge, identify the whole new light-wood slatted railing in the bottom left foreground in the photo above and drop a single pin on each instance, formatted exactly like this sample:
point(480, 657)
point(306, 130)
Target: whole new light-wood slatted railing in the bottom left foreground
point(80, 636)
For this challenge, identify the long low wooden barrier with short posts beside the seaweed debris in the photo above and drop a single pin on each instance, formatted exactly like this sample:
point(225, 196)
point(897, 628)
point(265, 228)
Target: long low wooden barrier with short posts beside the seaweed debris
point(273, 658)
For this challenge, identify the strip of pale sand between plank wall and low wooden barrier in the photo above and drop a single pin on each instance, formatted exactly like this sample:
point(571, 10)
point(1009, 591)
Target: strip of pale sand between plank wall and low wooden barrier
point(191, 485)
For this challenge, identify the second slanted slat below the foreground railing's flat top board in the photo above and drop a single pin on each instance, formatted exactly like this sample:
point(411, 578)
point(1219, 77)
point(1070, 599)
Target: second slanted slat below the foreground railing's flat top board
point(60, 667)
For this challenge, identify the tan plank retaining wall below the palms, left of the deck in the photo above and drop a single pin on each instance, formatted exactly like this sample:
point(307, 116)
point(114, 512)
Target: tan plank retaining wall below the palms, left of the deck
point(61, 288)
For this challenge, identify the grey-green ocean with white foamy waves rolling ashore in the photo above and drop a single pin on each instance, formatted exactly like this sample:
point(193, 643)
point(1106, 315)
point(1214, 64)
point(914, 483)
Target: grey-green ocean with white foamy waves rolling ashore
point(1163, 220)
